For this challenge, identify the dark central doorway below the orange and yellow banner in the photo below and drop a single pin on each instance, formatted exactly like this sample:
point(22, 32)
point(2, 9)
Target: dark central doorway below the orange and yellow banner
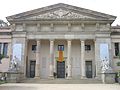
point(60, 69)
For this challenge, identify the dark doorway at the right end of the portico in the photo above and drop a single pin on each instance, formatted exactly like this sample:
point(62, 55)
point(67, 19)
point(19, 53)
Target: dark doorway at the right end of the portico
point(89, 69)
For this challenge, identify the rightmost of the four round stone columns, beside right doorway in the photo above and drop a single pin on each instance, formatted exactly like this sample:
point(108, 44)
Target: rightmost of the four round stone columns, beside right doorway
point(83, 59)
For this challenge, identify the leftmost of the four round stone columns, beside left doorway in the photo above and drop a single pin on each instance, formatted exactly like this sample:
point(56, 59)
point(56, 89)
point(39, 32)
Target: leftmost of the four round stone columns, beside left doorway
point(37, 67)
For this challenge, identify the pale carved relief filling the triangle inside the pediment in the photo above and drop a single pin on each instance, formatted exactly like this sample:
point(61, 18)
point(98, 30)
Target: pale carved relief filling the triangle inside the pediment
point(61, 14)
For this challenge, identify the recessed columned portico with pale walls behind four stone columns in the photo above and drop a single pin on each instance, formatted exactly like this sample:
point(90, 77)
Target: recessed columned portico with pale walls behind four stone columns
point(46, 57)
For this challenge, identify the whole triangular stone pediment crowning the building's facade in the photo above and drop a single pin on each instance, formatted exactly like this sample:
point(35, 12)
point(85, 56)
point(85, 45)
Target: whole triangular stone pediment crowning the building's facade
point(61, 11)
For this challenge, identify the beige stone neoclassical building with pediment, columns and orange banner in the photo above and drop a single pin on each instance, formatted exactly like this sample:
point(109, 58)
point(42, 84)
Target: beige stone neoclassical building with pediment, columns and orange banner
point(62, 41)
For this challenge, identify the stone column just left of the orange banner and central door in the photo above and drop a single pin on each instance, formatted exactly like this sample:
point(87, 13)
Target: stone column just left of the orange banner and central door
point(51, 59)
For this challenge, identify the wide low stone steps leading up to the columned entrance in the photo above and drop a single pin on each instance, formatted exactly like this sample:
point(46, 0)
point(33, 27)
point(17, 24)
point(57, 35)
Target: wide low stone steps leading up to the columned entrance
point(62, 81)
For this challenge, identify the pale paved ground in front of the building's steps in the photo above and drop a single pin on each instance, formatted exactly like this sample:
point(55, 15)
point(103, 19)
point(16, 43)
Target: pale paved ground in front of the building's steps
point(24, 86)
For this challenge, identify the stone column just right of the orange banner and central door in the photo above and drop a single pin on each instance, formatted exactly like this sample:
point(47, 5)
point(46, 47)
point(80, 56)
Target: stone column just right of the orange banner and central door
point(69, 59)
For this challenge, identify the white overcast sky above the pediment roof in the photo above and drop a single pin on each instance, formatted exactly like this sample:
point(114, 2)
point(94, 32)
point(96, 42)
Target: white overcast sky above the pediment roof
point(11, 7)
